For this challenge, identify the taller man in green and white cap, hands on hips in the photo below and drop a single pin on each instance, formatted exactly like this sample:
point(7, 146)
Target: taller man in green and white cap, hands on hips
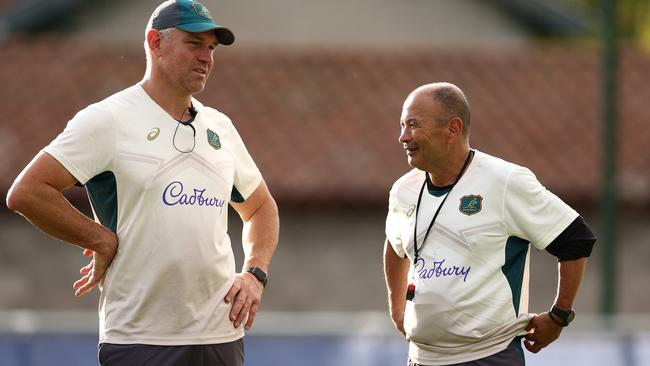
point(160, 168)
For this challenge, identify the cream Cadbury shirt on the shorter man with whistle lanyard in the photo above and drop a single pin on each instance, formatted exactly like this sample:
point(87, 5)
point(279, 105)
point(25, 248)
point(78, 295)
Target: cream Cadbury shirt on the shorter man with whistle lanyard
point(471, 279)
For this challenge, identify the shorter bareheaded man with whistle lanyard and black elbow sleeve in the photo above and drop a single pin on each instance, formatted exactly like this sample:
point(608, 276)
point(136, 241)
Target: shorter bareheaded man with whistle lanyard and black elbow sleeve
point(458, 233)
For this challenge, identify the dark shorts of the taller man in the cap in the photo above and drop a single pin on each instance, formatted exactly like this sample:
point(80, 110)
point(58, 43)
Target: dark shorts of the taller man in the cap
point(224, 354)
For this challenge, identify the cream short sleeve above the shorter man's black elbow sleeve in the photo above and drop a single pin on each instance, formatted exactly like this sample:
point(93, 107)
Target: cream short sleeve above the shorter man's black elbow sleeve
point(532, 212)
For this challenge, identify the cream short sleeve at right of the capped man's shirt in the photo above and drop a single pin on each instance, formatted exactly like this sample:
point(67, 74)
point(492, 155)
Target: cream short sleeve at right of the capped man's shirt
point(247, 176)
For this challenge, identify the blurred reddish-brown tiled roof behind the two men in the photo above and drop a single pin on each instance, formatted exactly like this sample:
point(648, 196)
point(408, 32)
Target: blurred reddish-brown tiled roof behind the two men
point(323, 124)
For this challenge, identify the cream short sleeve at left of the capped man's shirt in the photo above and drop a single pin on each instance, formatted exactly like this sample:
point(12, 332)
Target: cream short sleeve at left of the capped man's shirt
point(87, 145)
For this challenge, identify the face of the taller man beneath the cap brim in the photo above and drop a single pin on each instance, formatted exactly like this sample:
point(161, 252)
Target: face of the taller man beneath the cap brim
point(186, 59)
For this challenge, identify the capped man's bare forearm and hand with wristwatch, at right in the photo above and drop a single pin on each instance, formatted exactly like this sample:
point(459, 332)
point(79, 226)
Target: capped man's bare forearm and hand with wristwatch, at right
point(259, 214)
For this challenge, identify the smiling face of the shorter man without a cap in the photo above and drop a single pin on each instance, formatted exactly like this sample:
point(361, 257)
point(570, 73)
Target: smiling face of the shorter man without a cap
point(423, 133)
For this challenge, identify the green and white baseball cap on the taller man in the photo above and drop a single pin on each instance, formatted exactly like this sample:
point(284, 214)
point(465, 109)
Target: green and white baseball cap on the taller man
point(190, 16)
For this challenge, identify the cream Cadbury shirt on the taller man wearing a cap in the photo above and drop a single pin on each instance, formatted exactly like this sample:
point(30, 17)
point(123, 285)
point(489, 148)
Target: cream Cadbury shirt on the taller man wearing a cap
point(174, 262)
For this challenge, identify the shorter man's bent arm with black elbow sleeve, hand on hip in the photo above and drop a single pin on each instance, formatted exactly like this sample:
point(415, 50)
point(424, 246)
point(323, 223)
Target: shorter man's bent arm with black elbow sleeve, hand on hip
point(571, 247)
